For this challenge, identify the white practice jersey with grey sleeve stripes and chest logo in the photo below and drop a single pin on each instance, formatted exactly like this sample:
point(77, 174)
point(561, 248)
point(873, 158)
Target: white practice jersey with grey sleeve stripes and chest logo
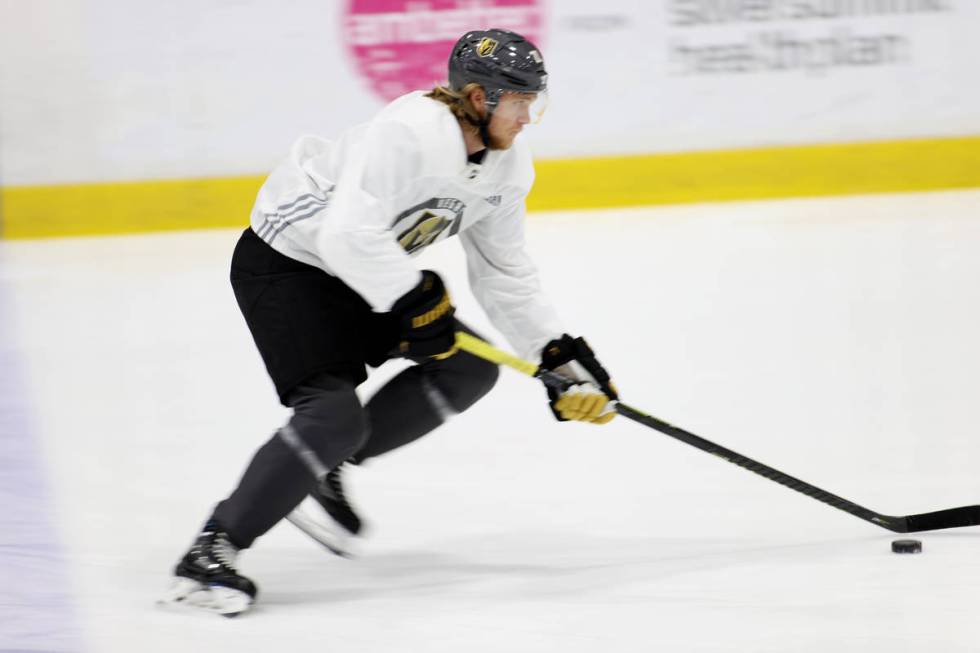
point(359, 207)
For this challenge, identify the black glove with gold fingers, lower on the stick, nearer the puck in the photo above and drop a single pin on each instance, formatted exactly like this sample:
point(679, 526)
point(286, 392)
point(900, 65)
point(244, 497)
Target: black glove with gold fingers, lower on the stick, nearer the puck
point(587, 399)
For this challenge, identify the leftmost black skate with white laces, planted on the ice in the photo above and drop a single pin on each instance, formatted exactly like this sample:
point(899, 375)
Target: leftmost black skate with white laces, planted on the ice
point(206, 577)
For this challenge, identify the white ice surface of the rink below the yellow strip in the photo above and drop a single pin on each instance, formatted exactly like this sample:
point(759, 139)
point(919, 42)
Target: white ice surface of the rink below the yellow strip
point(836, 340)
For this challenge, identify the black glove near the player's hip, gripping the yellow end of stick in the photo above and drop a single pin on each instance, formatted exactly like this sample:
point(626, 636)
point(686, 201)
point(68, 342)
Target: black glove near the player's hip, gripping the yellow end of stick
point(425, 319)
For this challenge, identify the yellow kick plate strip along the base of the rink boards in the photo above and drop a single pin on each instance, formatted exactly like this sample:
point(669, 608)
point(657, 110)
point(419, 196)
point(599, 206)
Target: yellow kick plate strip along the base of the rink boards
point(811, 170)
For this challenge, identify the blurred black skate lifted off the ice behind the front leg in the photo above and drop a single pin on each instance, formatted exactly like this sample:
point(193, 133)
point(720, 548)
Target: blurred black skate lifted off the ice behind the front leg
point(327, 517)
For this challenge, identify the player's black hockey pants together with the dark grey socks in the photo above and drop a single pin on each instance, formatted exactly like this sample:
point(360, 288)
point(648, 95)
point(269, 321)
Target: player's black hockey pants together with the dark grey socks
point(316, 336)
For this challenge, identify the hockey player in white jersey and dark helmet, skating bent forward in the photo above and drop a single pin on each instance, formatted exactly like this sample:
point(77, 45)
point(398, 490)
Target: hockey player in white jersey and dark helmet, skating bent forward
point(327, 285)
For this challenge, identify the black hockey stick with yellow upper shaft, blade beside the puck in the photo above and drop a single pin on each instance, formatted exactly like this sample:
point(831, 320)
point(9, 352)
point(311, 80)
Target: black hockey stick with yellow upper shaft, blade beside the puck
point(927, 521)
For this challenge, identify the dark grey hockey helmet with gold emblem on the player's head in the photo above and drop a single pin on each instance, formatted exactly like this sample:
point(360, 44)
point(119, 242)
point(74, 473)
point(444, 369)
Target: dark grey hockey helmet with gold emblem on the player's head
point(499, 61)
